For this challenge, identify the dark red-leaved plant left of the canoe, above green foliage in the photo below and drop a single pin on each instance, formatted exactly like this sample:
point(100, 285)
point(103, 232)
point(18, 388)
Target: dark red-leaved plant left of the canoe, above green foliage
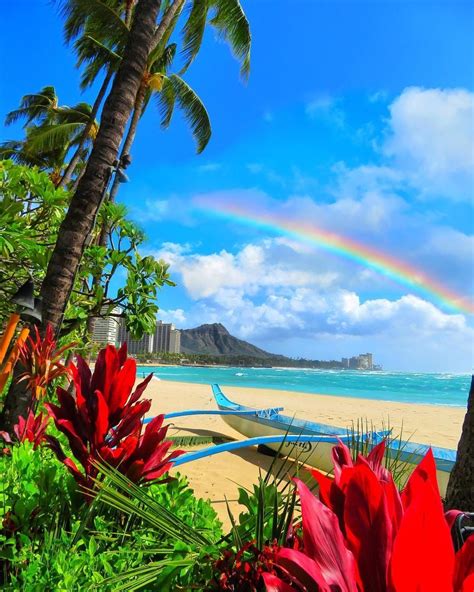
point(103, 422)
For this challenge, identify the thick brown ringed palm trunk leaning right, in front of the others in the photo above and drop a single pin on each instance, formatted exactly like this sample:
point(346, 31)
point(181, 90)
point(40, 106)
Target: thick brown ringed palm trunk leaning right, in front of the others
point(81, 215)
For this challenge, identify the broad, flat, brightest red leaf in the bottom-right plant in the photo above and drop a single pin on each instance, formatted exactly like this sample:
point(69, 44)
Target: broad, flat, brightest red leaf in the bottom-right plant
point(423, 554)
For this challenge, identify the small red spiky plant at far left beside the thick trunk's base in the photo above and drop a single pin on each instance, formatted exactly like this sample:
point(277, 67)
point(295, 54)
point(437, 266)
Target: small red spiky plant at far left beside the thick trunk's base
point(41, 361)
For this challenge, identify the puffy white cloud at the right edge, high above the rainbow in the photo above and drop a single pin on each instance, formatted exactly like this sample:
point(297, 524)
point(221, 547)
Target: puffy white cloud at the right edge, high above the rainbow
point(431, 140)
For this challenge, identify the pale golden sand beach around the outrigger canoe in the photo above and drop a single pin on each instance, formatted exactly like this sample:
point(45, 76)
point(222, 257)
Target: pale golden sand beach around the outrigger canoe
point(218, 477)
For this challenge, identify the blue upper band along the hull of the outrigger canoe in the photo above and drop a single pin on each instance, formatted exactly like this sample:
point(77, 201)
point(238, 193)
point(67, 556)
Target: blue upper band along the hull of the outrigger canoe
point(411, 452)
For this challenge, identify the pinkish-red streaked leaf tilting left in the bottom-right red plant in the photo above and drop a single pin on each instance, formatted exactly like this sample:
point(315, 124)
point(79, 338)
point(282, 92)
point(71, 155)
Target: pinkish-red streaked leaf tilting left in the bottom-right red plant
point(324, 542)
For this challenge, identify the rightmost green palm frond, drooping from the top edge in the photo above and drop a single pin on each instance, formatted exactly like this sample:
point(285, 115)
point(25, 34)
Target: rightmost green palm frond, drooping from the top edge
point(233, 26)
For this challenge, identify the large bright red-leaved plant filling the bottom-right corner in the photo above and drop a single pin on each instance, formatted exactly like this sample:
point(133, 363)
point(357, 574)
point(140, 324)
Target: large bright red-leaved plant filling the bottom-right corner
point(362, 535)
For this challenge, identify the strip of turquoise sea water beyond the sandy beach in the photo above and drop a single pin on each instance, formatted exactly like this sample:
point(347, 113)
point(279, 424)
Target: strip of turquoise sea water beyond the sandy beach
point(430, 389)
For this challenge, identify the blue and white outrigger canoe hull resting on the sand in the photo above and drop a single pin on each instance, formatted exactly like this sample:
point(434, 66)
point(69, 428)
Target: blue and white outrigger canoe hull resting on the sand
point(314, 441)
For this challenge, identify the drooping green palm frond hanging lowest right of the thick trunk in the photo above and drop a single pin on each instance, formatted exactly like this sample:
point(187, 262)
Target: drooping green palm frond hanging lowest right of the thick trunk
point(193, 108)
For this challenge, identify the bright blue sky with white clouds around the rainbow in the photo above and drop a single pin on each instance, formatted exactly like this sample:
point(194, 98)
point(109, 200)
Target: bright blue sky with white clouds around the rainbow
point(357, 118)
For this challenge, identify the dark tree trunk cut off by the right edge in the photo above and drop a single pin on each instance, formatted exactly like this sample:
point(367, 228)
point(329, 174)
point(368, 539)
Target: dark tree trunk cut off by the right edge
point(460, 492)
